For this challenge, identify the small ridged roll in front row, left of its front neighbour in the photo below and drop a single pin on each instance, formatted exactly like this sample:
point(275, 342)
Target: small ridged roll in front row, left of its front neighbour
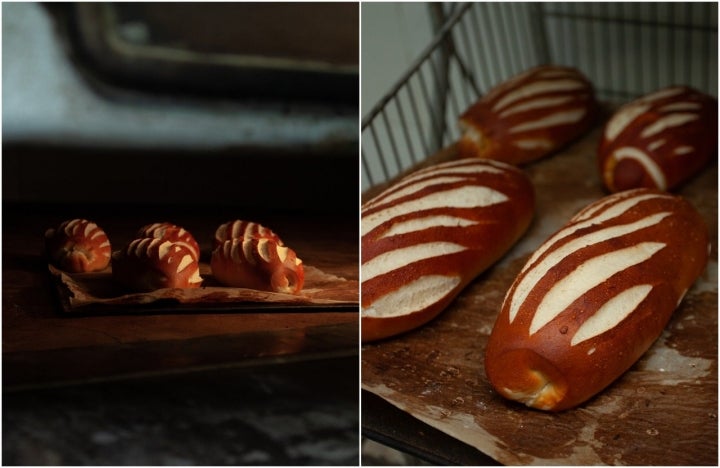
point(148, 264)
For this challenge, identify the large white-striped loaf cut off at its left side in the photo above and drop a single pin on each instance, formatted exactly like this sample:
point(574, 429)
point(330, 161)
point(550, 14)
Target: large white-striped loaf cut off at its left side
point(427, 236)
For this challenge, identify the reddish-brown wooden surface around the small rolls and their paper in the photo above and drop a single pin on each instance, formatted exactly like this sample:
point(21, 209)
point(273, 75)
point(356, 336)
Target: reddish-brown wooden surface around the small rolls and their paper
point(41, 346)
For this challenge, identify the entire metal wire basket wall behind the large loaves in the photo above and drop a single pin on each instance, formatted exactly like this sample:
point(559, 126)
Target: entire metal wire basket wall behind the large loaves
point(627, 49)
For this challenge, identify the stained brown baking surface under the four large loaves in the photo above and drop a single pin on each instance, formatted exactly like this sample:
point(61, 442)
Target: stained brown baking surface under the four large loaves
point(661, 412)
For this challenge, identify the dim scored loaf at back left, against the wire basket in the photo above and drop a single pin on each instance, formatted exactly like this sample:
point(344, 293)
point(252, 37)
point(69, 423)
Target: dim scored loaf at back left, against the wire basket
point(529, 116)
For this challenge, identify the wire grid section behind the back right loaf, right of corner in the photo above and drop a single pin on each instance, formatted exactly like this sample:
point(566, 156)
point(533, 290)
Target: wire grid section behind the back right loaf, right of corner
point(630, 49)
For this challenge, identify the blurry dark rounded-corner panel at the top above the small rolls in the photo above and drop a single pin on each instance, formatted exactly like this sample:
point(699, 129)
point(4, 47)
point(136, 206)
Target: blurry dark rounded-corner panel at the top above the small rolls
point(275, 50)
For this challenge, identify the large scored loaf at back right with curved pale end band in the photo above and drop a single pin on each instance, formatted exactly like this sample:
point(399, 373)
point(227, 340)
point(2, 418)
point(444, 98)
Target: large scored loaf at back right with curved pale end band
point(659, 141)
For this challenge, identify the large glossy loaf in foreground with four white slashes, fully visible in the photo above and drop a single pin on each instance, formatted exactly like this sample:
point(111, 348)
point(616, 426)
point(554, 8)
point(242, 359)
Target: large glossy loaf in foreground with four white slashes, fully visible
point(594, 297)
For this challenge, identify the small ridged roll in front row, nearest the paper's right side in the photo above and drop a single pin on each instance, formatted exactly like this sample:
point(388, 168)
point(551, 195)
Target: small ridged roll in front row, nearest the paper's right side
point(258, 263)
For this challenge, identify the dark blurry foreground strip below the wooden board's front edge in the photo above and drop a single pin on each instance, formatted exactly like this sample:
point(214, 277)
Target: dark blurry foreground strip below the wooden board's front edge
point(297, 413)
